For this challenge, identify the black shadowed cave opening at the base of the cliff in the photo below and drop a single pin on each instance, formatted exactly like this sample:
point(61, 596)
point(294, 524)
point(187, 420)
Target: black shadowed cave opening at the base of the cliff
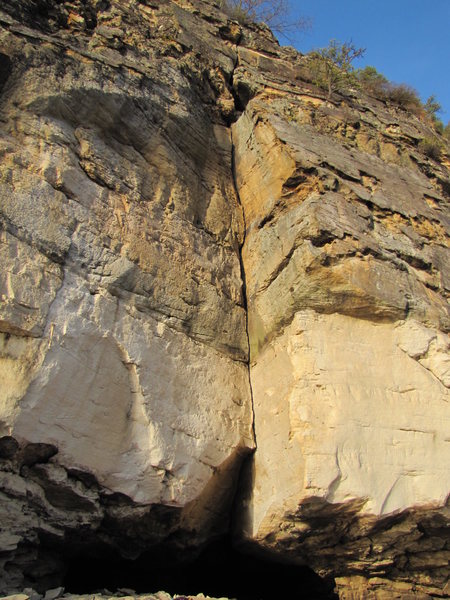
point(219, 571)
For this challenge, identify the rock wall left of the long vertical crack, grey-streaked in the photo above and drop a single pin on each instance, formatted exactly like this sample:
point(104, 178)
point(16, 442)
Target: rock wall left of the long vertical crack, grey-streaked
point(122, 317)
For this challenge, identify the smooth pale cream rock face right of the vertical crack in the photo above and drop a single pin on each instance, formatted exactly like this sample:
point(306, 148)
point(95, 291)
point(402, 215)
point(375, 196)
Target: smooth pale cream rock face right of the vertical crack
point(352, 422)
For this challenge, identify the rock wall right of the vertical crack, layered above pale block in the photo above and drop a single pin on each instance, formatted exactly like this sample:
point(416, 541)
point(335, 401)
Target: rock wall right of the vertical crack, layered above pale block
point(346, 263)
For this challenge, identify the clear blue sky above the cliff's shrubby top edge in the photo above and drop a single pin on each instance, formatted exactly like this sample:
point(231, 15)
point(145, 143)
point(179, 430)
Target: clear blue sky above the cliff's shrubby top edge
point(406, 40)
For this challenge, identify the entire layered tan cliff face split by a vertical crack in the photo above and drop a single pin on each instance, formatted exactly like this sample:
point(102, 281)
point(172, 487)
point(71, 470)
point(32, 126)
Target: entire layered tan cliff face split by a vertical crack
point(201, 253)
